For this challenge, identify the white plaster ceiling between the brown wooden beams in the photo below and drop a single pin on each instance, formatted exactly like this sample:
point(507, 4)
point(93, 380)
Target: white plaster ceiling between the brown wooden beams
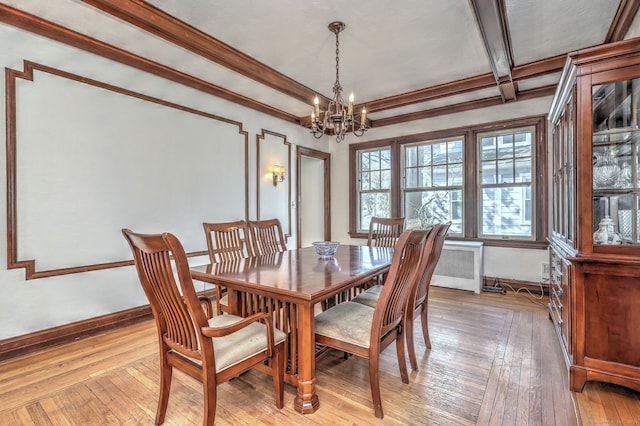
point(387, 49)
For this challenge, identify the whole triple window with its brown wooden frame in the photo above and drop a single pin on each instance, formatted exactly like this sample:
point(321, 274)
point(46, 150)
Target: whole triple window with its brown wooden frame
point(488, 180)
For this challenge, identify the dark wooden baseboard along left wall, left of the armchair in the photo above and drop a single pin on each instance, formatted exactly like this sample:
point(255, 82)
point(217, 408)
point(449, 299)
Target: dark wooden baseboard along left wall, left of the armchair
point(26, 344)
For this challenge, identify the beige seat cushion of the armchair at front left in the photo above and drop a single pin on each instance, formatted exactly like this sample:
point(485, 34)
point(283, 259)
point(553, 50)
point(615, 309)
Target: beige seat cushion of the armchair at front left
point(242, 344)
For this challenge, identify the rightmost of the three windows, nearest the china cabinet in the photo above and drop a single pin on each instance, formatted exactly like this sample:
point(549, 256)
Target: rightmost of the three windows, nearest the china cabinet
point(506, 164)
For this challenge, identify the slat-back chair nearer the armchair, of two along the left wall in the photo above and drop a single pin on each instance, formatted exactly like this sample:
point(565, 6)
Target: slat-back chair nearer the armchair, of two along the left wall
point(226, 241)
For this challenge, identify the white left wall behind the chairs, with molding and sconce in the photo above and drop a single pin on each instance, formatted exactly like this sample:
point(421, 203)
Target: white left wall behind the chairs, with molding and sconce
point(78, 151)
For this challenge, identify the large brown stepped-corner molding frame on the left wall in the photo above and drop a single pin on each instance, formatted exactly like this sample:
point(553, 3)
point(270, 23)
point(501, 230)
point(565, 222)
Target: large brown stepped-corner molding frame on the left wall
point(11, 76)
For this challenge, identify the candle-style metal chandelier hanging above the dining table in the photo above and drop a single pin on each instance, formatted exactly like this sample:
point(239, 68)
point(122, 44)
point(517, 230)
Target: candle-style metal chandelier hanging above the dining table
point(338, 119)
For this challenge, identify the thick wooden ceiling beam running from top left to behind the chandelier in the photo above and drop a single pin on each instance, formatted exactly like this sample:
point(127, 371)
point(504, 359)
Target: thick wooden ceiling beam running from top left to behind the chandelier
point(155, 21)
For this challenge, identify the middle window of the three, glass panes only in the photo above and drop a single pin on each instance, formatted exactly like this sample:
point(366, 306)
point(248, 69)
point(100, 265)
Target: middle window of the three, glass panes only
point(432, 184)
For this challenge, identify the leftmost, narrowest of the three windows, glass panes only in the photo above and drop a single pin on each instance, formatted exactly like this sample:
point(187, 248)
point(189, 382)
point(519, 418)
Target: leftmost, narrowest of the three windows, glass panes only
point(374, 185)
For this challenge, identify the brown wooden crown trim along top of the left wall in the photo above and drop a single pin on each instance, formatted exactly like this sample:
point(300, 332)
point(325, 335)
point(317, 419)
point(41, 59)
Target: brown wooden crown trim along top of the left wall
point(67, 36)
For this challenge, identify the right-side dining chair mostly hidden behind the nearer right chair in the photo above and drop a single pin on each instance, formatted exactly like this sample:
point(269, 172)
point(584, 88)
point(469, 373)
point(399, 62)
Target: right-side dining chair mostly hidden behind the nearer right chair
point(419, 296)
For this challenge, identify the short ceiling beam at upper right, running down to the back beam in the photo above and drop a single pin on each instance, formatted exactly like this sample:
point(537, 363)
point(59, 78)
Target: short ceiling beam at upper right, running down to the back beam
point(492, 22)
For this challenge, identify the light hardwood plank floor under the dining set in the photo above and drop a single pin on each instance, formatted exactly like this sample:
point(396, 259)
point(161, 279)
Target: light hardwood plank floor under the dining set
point(495, 361)
